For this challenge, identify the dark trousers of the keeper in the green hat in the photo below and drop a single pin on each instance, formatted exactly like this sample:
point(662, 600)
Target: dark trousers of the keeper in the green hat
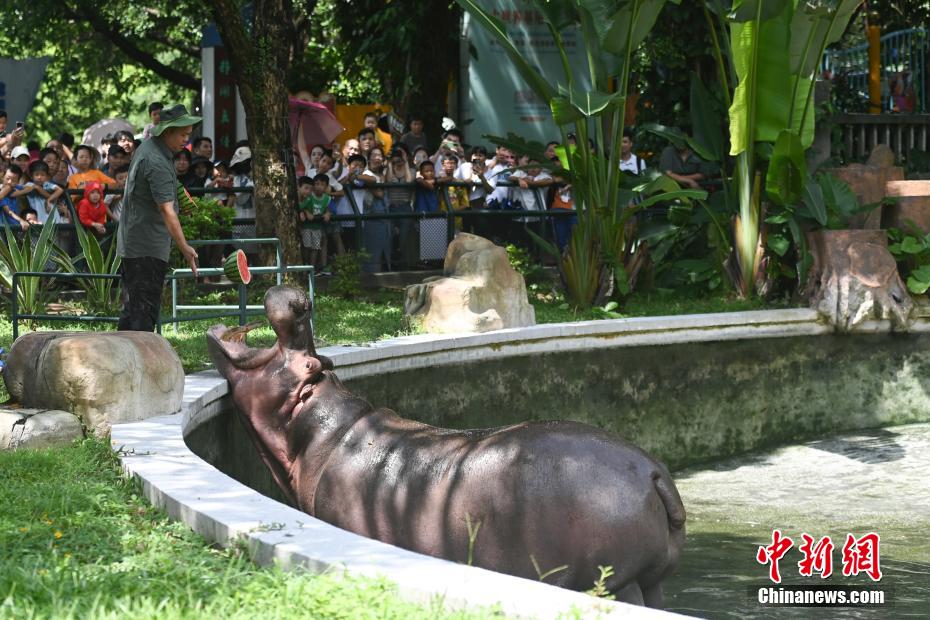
point(143, 280)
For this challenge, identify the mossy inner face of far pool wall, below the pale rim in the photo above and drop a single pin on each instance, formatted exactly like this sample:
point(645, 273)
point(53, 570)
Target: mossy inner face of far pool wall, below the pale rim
point(685, 403)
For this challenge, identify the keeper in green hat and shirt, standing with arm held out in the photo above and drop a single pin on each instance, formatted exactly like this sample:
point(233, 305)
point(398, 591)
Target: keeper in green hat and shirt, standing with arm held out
point(150, 221)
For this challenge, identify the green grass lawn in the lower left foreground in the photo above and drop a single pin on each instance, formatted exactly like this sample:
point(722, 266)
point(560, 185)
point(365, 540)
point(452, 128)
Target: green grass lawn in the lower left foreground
point(78, 541)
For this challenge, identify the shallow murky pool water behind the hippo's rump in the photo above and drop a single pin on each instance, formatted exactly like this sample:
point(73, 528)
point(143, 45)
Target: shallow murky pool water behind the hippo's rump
point(870, 481)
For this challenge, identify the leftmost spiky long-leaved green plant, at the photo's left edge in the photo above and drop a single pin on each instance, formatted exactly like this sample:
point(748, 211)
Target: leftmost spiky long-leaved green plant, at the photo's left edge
point(27, 255)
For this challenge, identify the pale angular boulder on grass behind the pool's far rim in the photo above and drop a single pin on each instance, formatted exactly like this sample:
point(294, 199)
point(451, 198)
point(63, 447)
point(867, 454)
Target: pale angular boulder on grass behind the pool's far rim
point(479, 291)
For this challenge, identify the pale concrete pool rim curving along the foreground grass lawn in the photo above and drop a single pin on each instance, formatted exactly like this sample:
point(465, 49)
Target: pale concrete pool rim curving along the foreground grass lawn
point(222, 510)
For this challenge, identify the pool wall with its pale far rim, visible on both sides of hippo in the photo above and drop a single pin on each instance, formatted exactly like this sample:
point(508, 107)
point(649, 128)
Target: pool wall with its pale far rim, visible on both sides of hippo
point(687, 389)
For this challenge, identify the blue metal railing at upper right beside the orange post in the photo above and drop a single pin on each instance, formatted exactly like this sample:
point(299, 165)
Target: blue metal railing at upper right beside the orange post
point(903, 57)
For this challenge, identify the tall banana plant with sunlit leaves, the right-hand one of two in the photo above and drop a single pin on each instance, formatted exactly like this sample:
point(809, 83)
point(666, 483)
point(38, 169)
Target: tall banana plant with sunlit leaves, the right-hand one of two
point(774, 50)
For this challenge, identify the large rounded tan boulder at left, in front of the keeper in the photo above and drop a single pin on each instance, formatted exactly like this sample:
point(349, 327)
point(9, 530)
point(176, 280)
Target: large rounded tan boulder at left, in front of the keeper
point(103, 378)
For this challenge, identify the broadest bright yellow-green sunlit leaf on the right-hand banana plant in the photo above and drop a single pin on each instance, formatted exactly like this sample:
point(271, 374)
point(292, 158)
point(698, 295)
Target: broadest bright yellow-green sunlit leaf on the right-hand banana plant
point(760, 109)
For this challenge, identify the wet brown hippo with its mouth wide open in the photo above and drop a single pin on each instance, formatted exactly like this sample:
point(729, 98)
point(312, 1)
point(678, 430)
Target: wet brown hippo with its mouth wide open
point(540, 495)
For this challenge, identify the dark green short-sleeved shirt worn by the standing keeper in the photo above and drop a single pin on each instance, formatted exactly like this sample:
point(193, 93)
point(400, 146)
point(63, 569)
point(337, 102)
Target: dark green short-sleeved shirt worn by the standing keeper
point(152, 181)
